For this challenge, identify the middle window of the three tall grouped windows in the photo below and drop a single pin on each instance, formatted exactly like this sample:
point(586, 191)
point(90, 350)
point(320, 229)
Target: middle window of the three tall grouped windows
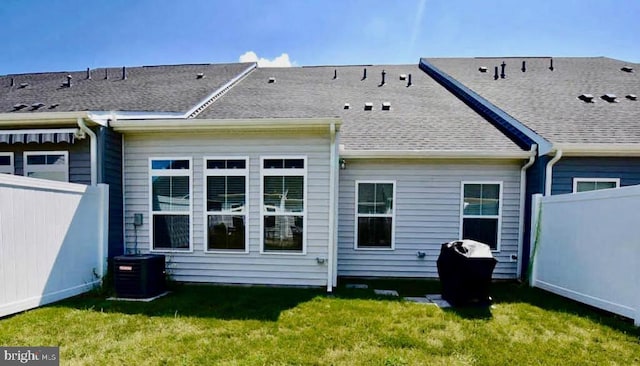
point(226, 204)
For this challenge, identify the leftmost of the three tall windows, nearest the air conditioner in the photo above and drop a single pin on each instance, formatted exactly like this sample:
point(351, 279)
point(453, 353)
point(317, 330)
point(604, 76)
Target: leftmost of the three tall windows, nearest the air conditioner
point(170, 195)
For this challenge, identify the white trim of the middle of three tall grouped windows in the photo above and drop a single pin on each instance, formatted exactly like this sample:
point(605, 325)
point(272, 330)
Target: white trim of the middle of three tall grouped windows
point(226, 173)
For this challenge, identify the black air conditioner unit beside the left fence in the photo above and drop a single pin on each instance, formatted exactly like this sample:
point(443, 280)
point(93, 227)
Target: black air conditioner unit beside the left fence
point(139, 276)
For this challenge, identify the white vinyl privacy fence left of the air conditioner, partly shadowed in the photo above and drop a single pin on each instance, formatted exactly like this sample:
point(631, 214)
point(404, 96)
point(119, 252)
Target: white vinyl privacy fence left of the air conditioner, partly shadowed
point(53, 239)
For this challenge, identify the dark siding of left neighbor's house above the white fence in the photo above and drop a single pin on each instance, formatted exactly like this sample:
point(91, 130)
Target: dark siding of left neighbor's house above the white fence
point(79, 157)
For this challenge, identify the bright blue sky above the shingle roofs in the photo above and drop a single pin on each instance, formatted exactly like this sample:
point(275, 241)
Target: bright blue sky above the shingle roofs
point(66, 35)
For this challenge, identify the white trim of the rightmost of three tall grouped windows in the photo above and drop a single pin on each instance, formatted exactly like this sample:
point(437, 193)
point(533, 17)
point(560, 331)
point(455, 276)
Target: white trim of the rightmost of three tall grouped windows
point(285, 172)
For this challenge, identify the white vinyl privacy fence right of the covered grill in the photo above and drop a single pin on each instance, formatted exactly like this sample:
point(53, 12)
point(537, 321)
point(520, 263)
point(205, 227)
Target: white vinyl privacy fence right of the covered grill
point(586, 246)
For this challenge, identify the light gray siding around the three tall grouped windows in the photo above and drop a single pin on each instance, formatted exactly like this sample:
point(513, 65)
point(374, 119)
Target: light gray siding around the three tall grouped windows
point(244, 268)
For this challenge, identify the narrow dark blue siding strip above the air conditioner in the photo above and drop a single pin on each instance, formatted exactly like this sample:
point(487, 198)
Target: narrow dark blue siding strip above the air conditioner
point(110, 172)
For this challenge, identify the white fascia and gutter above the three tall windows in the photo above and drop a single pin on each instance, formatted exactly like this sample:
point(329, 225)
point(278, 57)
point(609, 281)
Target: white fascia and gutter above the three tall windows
point(190, 125)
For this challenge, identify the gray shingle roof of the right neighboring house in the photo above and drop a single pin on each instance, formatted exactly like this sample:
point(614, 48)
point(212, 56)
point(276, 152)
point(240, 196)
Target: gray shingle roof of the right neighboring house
point(547, 101)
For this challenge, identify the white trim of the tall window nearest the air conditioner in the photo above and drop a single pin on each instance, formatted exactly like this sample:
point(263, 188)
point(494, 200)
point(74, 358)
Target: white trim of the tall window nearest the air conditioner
point(170, 172)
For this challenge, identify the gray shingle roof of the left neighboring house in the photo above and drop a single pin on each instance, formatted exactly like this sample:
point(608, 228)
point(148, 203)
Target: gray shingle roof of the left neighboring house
point(173, 88)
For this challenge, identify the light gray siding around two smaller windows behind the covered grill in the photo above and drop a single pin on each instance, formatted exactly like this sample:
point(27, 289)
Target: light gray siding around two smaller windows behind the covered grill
point(427, 214)
